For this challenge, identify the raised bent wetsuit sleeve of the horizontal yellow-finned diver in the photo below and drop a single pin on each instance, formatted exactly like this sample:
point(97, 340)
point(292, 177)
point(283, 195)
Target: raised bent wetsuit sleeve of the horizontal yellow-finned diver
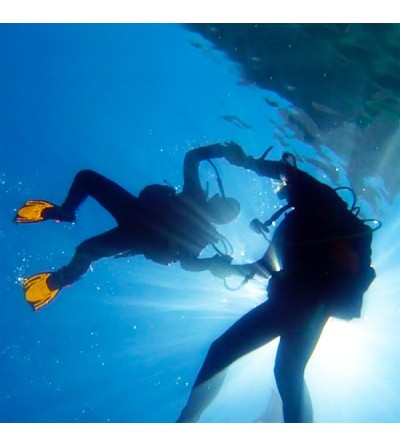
point(191, 178)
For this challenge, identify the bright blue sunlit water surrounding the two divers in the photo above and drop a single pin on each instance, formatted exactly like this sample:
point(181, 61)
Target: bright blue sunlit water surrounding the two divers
point(124, 344)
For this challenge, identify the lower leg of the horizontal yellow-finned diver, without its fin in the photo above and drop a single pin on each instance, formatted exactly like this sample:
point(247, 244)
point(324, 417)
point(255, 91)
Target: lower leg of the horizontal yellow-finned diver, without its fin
point(110, 243)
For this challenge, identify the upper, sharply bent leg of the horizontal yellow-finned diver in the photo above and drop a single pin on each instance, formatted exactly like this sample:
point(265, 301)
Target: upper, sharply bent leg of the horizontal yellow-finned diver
point(115, 199)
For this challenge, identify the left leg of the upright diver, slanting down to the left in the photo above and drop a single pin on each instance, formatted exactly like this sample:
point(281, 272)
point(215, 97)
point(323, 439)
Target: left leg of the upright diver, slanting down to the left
point(253, 330)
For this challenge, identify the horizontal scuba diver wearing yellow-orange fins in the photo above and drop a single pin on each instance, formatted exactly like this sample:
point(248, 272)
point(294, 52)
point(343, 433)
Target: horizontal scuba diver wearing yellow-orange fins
point(163, 226)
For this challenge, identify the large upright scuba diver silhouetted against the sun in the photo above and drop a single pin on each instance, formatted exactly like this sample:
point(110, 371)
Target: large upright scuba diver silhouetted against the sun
point(318, 264)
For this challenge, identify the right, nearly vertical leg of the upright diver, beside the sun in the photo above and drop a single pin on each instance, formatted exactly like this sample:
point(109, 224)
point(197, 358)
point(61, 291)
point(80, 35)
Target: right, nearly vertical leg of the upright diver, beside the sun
point(296, 346)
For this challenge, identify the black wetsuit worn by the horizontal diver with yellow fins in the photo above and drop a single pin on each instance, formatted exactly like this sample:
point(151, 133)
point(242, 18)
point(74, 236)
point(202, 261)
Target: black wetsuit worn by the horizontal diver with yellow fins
point(176, 229)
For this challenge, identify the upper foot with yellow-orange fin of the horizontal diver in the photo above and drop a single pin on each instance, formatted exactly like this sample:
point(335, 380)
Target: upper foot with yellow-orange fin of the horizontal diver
point(40, 210)
